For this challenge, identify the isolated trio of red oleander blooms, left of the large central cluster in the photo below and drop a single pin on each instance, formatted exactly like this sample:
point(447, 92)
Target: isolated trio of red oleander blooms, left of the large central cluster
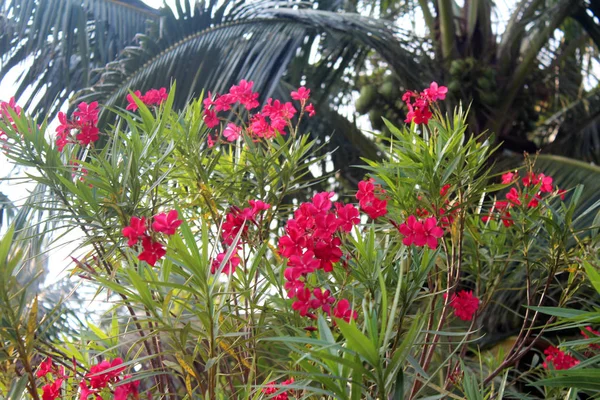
point(139, 230)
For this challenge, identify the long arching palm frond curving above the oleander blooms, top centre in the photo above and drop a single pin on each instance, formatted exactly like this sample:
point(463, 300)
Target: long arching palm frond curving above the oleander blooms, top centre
point(258, 48)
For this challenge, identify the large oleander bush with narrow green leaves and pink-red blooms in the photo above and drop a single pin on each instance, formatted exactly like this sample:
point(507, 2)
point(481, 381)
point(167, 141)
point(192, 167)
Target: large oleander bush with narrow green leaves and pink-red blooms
point(222, 284)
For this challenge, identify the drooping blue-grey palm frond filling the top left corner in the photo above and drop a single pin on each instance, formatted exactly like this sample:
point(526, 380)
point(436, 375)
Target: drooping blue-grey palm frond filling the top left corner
point(60, 40)
